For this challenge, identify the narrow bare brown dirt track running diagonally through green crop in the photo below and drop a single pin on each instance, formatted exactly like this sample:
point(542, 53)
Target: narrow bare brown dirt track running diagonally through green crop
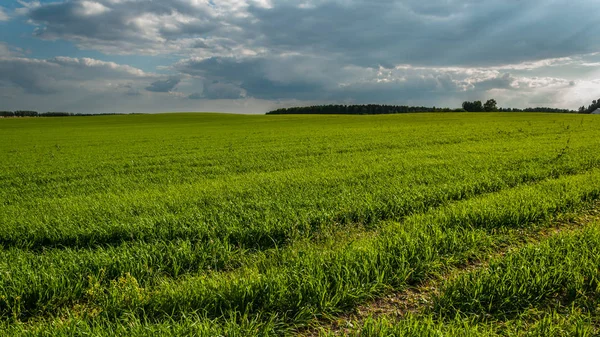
point(416, 299)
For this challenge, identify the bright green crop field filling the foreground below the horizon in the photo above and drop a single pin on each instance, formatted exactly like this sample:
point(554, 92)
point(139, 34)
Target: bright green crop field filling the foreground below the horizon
point(239, 225)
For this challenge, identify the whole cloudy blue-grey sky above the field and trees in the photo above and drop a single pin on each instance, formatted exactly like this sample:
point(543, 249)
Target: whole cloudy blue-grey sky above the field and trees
point(252, 56)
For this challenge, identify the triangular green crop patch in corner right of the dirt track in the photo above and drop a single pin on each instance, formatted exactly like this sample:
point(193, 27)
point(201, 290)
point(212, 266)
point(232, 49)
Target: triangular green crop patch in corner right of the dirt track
point(549, 288)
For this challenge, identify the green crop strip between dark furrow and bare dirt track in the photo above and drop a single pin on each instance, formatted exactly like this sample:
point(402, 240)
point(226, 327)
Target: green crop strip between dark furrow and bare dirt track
point(296, 284)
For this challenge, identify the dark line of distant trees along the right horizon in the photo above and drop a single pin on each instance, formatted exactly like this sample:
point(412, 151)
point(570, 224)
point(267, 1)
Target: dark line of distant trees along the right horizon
point(378, 109)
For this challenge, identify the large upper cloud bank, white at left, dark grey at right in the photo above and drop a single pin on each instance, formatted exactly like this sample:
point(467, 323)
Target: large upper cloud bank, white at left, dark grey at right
point(358, 32)
